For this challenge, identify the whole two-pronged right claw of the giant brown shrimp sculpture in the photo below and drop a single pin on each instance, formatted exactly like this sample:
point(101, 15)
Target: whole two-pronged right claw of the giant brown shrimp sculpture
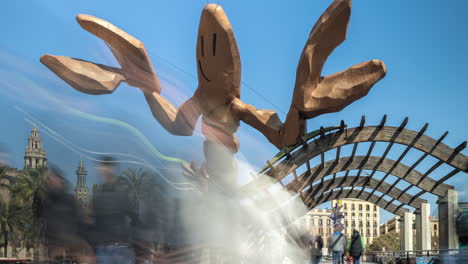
point(315, 95)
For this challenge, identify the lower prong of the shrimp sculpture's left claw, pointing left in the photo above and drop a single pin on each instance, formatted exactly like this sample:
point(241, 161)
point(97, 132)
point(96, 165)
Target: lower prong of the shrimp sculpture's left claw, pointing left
point(84, 76)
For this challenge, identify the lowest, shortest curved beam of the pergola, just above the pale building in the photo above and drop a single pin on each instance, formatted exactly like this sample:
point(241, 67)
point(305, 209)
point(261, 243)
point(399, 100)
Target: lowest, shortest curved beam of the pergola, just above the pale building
point(357, 194)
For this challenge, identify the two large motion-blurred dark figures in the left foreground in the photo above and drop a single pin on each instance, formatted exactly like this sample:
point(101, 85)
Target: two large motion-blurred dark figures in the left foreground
point(105, 235)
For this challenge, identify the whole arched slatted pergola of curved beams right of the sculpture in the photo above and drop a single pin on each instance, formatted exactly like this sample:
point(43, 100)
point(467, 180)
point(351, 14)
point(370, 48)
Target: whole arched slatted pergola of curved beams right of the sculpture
point(315, 144)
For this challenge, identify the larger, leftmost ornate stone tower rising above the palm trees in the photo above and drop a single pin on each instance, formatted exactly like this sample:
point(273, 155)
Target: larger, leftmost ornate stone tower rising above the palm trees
point(34, 156)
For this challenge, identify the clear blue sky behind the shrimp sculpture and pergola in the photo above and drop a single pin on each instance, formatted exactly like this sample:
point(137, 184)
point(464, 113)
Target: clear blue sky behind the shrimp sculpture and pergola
point(423, 44)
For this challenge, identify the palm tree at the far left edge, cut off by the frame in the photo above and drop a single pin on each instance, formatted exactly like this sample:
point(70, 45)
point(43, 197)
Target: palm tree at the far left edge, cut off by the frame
point(13, 219)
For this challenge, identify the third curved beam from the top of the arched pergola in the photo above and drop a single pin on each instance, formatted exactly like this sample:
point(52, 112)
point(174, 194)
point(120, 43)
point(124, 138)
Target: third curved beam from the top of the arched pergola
point(364, 182)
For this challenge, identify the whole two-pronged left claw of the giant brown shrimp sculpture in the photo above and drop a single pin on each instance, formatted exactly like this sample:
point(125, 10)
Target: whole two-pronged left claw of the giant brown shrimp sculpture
point(93, 78)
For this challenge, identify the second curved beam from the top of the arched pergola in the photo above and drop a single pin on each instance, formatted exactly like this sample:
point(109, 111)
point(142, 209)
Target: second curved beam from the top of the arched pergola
point(368, 163)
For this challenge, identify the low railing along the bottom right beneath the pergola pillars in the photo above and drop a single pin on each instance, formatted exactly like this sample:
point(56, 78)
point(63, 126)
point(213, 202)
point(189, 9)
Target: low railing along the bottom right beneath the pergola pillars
point(433, 256)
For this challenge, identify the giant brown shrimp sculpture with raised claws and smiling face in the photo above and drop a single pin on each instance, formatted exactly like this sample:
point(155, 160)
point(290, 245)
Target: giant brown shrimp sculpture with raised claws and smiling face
point(217, 98)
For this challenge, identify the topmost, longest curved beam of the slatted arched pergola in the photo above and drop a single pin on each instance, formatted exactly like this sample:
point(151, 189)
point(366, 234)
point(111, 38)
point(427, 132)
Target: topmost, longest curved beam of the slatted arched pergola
point(397, 135)
